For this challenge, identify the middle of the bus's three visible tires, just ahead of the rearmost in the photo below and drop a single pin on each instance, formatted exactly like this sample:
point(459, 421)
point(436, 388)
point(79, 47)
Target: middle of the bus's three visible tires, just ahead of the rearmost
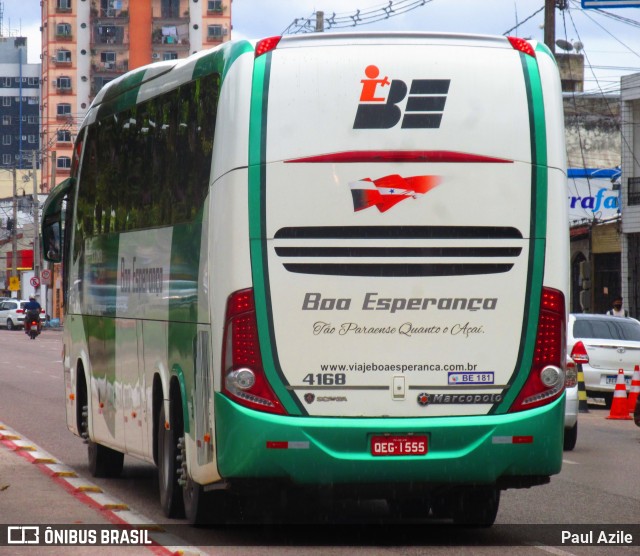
point(168, 451)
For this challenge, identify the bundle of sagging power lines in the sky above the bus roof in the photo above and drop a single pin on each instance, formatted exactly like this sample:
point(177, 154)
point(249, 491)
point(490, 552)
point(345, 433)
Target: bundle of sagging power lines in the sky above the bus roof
point(360, 17)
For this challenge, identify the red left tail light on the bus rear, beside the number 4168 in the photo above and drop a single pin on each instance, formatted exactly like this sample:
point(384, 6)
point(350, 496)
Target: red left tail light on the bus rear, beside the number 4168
point(243, 377)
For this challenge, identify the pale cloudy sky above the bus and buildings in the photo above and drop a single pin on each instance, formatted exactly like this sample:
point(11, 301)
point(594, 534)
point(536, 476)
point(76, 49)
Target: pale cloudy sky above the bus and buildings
point(611, 47)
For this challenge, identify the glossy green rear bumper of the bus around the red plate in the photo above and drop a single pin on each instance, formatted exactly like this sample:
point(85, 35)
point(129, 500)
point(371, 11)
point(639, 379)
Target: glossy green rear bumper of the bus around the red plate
point(511, 451)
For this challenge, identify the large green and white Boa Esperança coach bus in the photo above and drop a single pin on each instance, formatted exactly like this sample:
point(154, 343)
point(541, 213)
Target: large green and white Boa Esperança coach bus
point(335, 260)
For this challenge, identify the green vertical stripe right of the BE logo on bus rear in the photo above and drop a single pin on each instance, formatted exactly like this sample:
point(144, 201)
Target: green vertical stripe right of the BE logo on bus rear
point(537, 231)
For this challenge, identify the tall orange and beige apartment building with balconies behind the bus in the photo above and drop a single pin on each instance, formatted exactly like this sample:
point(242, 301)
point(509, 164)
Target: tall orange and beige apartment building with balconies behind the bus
point(87, 43)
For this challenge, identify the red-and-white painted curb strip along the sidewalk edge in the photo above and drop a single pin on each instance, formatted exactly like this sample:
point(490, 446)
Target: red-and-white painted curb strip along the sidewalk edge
point(114, 510)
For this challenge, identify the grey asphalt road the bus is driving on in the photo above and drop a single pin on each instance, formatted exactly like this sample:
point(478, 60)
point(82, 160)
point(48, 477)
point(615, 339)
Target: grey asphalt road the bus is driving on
point(599, 484)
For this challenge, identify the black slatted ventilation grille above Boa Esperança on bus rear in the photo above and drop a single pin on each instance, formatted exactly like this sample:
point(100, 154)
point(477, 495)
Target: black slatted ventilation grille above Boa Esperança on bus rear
point(374, 250)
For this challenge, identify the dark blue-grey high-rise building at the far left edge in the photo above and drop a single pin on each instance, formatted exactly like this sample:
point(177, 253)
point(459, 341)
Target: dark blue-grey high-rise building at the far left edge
point(19, 105)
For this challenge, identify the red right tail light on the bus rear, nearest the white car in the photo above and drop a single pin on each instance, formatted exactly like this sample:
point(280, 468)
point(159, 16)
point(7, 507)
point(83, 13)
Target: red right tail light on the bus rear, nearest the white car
point(546, 378)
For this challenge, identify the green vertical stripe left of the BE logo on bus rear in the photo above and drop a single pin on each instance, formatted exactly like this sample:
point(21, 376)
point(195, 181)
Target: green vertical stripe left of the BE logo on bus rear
point(257, 233)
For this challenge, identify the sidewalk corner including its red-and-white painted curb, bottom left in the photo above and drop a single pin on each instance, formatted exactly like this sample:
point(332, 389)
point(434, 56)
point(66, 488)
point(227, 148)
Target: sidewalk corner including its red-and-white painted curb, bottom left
point(35, 490)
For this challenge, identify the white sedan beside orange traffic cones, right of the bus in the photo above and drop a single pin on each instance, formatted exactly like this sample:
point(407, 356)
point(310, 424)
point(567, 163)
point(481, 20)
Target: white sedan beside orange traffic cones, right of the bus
point(603, 345)
